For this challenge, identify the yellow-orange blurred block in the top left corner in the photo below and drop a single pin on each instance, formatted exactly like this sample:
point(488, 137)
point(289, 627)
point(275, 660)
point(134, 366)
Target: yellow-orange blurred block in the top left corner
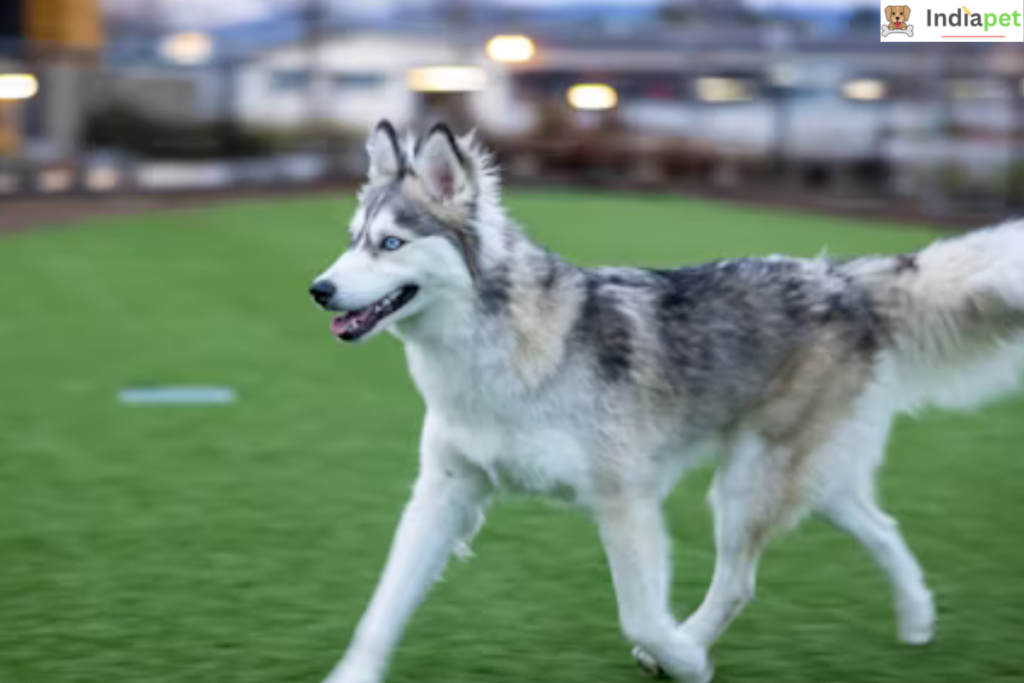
point(72, 25)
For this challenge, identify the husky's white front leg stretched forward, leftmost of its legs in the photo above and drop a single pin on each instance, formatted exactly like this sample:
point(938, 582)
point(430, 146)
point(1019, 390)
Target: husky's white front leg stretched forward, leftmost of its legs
point(447, 507)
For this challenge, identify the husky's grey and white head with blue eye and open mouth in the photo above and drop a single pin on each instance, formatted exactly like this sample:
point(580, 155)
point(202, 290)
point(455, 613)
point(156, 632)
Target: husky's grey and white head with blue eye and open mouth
point(414, 240)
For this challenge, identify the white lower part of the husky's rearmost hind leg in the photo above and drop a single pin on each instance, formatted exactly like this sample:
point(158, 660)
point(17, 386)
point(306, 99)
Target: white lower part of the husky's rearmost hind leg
point(860, 516)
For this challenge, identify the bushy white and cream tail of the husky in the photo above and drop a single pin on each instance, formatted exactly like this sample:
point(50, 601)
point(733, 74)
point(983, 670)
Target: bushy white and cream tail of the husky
point(956, 317)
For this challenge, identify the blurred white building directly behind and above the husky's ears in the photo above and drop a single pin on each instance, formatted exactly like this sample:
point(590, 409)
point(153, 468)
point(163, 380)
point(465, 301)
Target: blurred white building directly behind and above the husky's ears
point(355, 79)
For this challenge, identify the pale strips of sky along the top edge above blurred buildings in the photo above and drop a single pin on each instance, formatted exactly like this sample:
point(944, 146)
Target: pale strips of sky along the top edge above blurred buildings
point(211, 13)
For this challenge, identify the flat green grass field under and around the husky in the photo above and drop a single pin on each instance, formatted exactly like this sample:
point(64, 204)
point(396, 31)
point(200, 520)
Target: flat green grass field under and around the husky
point(240, 544)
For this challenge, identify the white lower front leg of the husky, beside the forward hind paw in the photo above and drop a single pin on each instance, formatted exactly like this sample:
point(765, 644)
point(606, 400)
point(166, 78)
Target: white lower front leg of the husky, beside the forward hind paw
point(633, 533)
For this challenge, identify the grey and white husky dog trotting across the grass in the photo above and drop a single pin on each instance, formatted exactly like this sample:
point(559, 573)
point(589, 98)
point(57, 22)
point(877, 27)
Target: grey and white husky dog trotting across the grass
point(603, 387)
